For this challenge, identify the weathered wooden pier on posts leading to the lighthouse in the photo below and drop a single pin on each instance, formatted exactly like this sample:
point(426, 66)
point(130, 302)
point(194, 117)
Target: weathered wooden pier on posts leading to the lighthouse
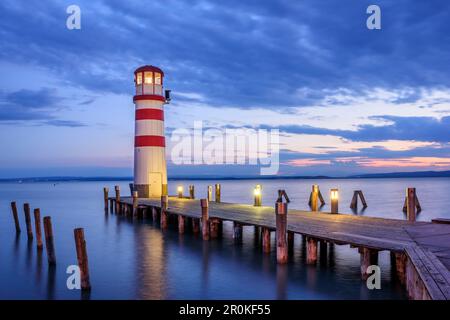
point(420, 251)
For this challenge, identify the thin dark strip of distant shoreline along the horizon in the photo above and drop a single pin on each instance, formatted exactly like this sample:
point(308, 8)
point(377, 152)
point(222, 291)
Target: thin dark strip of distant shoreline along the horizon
point(419, 174)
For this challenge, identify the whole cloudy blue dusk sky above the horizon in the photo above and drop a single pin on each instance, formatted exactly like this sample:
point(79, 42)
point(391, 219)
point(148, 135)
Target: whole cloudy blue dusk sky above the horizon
point(346, 99)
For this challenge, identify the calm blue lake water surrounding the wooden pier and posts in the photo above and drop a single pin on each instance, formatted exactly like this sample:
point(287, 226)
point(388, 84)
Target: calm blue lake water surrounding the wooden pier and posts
point(135, 260)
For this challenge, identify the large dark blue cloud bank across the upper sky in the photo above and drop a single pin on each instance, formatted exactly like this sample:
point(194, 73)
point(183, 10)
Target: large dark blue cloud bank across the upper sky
point(241, 53)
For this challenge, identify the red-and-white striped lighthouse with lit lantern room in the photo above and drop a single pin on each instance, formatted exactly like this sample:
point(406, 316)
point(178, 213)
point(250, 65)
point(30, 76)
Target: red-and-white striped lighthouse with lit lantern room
point(150, 172)
